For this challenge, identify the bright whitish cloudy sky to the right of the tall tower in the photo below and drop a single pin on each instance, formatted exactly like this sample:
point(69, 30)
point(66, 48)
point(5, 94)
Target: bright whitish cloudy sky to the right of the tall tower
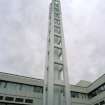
point(84, 33)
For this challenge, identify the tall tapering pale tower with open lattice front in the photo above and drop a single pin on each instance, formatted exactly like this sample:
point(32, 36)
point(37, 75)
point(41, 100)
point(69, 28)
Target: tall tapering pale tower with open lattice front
point(56, 84)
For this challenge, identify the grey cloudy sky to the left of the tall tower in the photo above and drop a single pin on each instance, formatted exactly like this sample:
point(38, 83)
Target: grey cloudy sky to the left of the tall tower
point(22, 34)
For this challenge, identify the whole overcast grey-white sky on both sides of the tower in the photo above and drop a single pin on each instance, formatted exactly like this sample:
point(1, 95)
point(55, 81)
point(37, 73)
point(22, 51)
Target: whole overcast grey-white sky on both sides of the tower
point(23, 35)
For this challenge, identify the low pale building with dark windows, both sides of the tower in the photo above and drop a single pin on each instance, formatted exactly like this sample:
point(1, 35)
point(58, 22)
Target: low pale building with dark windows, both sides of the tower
point(20, 90)
